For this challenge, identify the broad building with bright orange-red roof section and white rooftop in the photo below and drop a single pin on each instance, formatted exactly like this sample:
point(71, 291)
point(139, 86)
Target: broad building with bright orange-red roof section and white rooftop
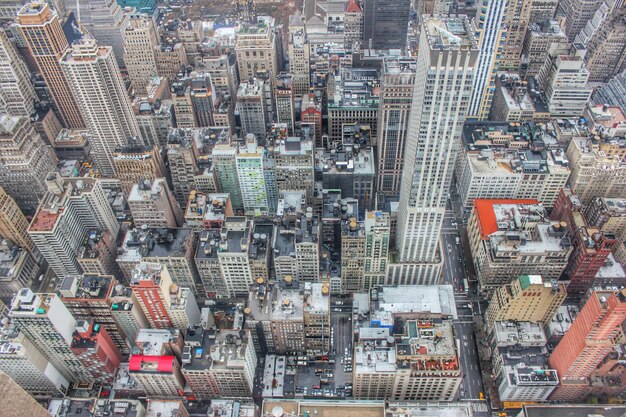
point(509, 238)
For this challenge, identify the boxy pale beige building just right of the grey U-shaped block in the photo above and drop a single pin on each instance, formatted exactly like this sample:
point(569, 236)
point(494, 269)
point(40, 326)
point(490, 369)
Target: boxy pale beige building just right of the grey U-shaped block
point(152, 203)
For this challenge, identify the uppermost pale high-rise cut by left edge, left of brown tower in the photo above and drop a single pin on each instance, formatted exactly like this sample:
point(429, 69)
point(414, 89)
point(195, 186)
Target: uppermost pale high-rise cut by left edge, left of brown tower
point(17, 95)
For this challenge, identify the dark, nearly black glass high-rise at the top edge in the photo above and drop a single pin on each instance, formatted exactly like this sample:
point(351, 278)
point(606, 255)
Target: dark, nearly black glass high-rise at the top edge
point(385, 23)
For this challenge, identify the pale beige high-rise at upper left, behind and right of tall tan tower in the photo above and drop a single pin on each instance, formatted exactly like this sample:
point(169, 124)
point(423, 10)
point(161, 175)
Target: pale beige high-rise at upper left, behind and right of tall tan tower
point(140, 38)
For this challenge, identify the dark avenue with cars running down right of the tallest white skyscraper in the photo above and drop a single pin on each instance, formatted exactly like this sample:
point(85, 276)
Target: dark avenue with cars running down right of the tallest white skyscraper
point(456, 269)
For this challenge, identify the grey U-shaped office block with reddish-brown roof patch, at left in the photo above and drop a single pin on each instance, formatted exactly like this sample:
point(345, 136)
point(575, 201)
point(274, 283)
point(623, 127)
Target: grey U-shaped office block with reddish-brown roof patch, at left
point(70, 209)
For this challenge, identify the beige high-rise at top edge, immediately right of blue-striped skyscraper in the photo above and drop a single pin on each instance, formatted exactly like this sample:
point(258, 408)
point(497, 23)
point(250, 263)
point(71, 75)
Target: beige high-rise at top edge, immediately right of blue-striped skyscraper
point(516, 22)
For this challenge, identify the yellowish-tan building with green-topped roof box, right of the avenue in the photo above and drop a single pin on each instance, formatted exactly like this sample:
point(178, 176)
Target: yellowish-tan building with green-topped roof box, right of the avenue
point(527, 298)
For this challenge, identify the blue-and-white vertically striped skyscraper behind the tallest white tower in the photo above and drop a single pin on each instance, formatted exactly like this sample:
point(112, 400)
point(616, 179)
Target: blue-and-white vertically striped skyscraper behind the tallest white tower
point(490, 32)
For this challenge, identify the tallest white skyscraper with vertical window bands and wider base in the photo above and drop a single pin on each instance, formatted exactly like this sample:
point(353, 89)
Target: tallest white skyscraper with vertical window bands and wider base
point(446, 70)
